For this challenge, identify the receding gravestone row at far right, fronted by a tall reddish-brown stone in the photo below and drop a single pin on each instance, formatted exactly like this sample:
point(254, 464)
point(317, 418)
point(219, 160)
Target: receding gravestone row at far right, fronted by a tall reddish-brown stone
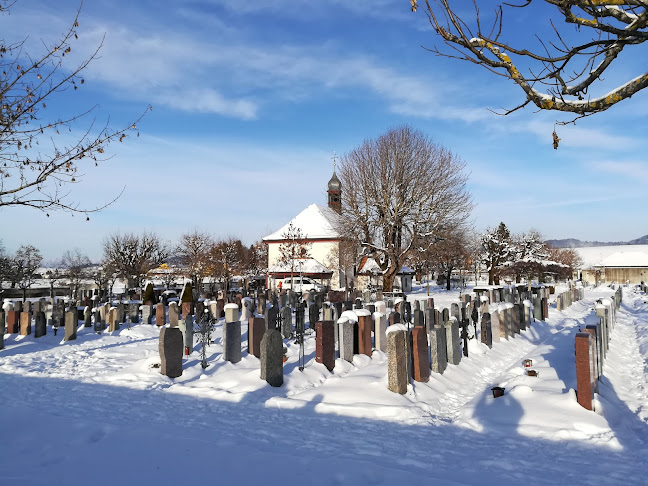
point(591, 348)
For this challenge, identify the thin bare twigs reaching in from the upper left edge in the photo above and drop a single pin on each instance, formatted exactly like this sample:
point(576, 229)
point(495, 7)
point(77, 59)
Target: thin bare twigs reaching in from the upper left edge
point(31, 174)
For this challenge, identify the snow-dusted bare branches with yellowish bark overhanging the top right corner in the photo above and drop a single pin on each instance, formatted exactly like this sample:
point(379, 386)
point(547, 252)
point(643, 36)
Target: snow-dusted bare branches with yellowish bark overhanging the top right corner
point(567, 66)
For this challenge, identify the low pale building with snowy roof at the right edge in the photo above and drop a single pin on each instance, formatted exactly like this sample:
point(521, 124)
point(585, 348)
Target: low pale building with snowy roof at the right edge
point(614, 264)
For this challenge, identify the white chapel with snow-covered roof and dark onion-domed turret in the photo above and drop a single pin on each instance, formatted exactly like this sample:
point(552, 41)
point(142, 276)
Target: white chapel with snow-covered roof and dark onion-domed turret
point(319, 226)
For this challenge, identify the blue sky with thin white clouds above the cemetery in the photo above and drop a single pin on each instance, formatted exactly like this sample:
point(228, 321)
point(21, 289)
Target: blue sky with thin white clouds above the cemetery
point(251, 99)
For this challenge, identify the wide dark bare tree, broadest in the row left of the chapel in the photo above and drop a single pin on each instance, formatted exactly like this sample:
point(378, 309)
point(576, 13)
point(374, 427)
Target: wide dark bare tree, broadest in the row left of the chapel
point(133, 256)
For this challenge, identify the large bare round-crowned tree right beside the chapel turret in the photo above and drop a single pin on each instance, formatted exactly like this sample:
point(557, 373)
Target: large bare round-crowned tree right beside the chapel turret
point(403, 189)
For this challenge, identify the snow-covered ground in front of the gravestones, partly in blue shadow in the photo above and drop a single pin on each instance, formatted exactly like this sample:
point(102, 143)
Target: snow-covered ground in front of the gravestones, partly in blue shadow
point(95, 411)
